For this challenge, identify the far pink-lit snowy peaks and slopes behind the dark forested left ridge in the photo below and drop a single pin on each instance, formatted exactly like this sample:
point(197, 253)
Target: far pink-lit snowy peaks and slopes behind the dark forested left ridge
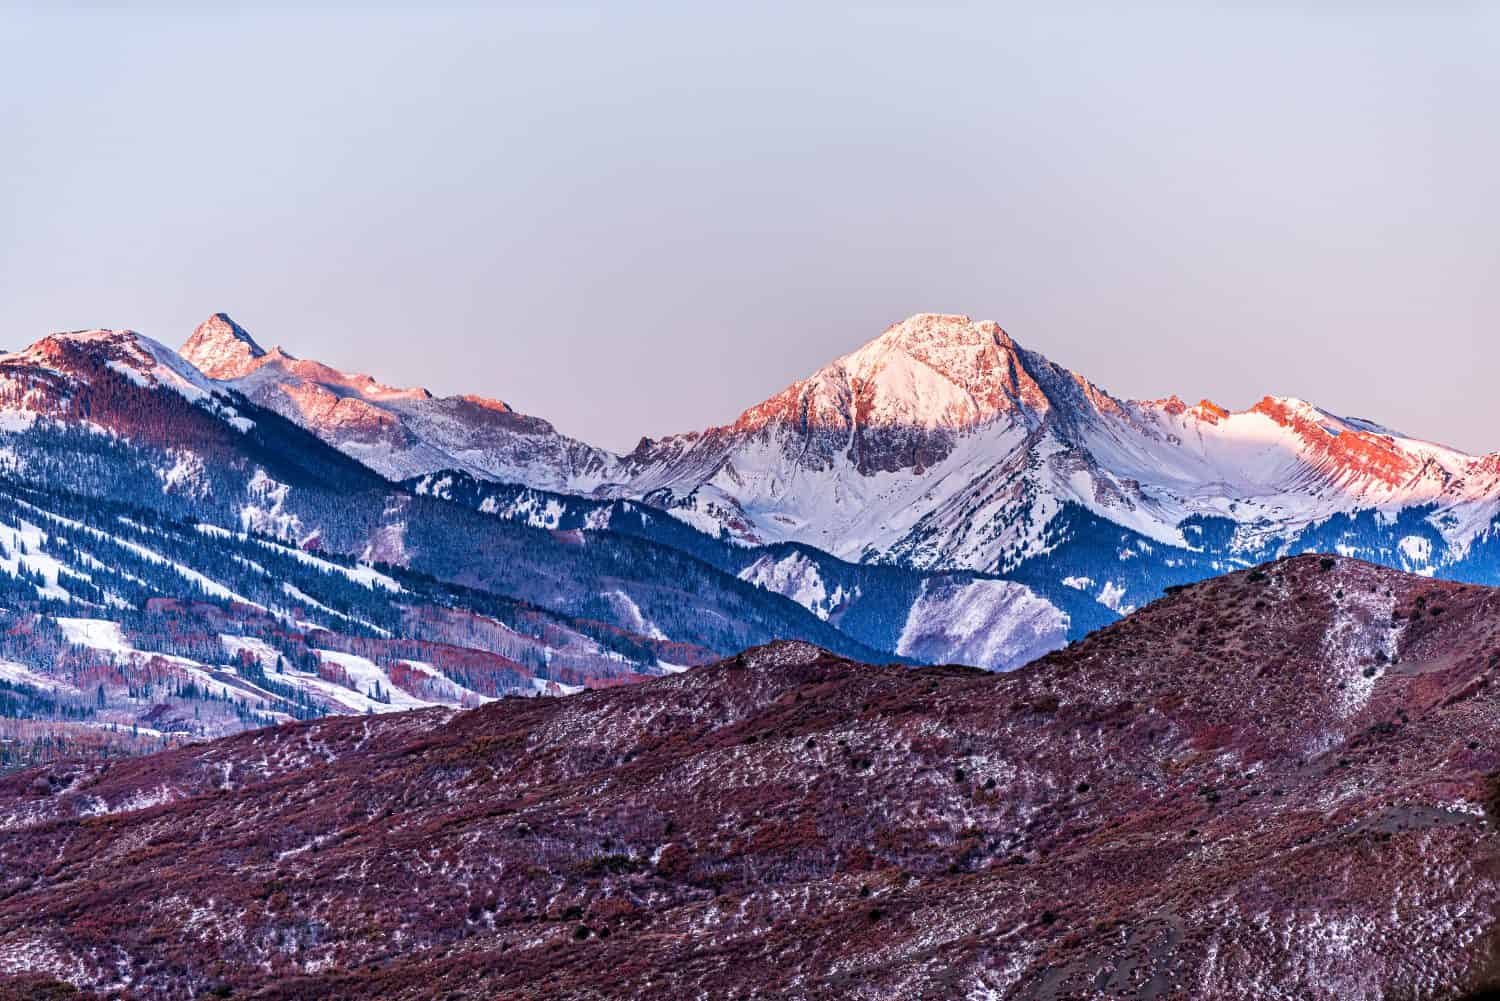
point(944, 445)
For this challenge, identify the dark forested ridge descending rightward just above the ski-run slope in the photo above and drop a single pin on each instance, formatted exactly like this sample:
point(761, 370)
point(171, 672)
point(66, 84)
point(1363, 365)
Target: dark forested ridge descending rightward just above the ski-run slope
point(115, 418)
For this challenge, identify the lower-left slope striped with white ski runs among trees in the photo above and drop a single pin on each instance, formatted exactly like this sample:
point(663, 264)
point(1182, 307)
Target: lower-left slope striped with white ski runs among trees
point(125, 630)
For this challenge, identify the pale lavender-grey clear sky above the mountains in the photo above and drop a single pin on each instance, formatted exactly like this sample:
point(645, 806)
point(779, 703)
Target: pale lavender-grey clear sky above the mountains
point(643, 220)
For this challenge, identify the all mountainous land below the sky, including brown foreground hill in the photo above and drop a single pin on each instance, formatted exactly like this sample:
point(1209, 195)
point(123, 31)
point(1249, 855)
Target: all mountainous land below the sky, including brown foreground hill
point(313, 687)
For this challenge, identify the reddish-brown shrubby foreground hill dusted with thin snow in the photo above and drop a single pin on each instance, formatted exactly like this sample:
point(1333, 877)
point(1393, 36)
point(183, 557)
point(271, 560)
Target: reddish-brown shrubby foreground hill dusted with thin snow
point(1273, 784)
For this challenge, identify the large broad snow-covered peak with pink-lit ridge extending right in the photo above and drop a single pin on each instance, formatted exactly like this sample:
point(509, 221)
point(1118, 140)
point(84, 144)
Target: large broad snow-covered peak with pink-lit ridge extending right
point(946, 443)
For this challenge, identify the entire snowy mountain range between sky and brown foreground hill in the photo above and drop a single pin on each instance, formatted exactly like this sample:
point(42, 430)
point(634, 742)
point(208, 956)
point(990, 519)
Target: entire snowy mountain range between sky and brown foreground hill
point(941, 494)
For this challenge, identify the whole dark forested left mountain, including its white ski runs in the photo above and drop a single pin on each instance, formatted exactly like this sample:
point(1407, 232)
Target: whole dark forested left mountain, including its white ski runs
point(110, 427)
